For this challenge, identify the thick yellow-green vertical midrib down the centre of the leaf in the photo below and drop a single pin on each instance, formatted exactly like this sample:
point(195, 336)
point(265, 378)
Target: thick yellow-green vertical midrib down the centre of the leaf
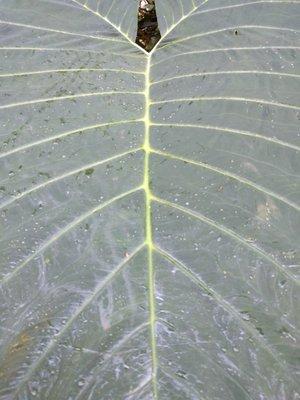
point(148, 227)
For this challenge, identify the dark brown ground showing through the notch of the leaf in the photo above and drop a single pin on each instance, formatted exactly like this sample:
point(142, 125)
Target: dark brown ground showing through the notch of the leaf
point(148, 33)
